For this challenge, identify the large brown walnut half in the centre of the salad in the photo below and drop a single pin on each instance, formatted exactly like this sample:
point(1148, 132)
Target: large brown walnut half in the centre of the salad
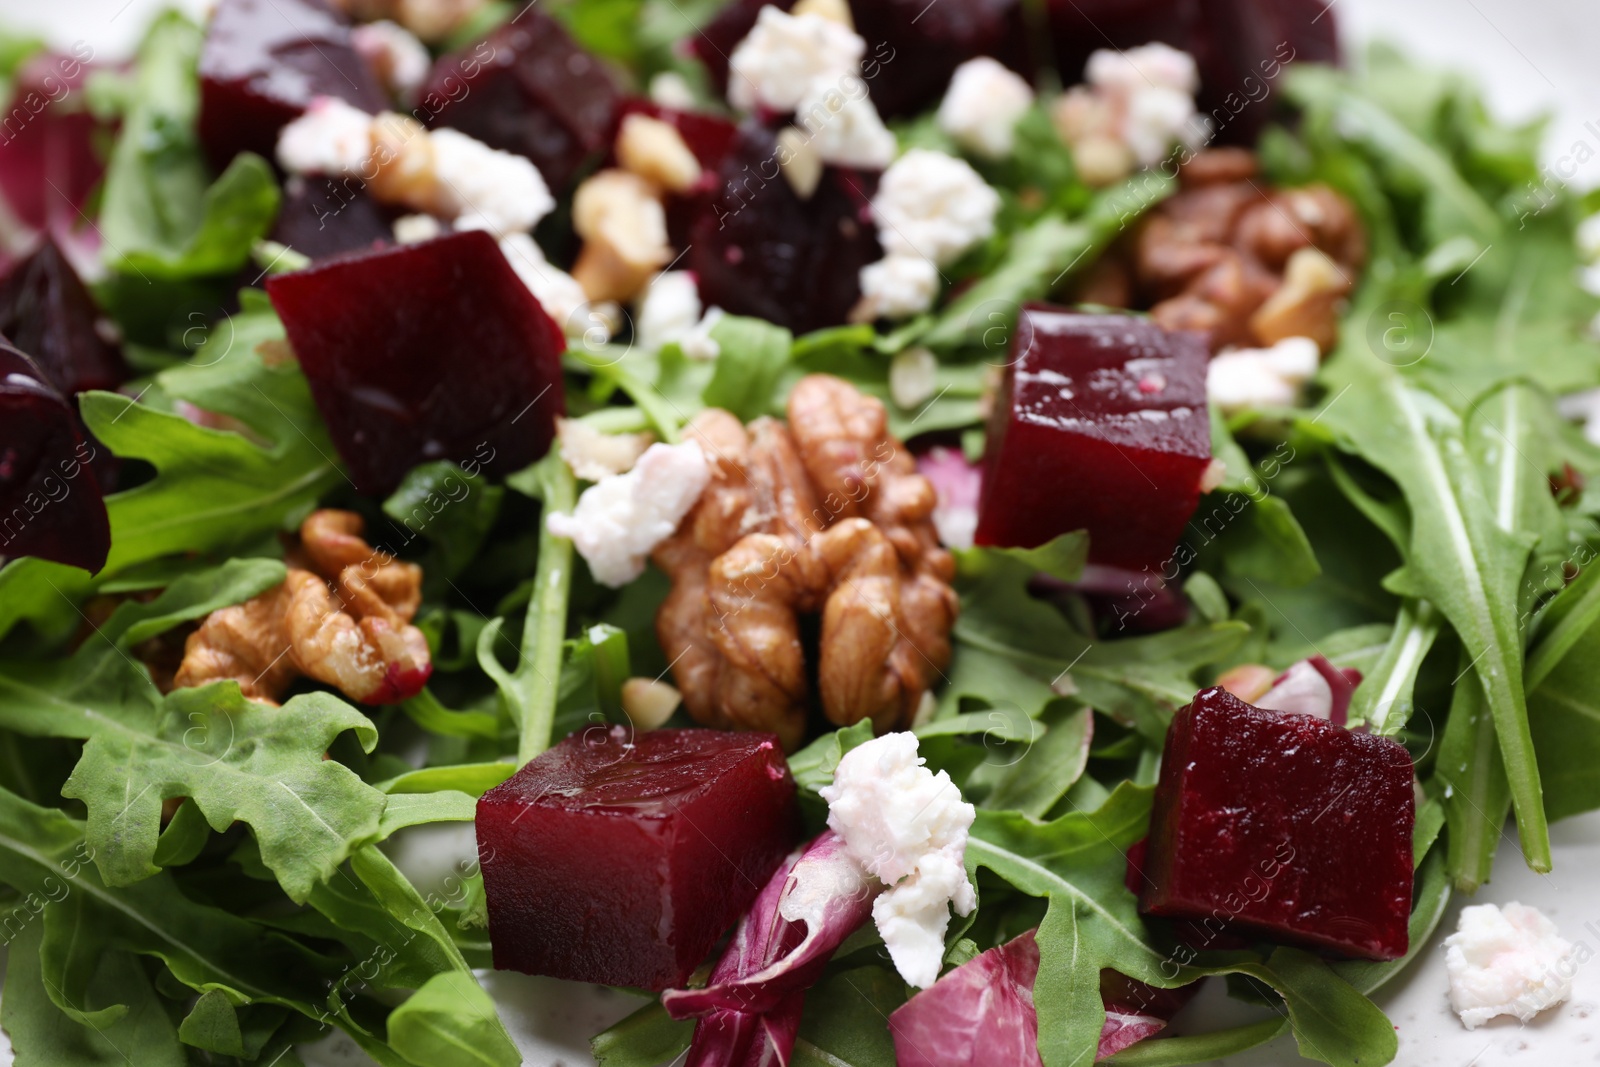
point(825, 516)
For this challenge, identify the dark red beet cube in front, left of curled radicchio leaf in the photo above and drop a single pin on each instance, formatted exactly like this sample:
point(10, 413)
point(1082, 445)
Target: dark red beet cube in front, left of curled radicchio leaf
point(622, 860)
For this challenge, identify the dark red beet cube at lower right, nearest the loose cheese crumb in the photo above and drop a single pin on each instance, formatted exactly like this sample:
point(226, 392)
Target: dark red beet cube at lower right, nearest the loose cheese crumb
point(1284, 826)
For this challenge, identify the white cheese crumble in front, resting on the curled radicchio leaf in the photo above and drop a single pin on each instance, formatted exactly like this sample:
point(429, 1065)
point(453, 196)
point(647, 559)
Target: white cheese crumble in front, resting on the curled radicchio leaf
point(908, 828)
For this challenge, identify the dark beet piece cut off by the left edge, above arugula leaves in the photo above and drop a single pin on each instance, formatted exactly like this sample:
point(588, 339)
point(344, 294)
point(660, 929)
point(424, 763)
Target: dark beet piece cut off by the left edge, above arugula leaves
point(50, 503)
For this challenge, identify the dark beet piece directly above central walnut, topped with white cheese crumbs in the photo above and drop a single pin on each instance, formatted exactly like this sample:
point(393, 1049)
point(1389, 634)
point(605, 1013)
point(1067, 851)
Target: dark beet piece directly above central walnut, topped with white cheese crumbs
point(758, 249)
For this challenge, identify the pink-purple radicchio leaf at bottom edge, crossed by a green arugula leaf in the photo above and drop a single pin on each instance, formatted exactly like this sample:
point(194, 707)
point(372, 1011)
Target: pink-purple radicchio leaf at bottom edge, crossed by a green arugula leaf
point(982, 1015)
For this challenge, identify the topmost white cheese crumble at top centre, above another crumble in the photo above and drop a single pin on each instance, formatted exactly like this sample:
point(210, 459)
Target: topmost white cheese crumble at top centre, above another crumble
point(785, 55)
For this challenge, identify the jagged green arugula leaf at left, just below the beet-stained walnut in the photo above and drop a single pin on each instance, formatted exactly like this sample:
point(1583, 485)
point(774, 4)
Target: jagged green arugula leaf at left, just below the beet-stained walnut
point(234, 759)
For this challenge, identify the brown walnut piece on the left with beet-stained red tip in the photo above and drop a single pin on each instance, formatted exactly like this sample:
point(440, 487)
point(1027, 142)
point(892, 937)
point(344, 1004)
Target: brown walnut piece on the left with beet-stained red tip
point(343, 617)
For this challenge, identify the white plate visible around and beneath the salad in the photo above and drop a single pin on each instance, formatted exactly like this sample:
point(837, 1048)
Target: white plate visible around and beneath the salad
point(1534, 57)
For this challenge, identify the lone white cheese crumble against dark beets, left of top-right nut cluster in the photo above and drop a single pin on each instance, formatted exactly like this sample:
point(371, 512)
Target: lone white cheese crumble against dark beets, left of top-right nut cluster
point(1153, 90)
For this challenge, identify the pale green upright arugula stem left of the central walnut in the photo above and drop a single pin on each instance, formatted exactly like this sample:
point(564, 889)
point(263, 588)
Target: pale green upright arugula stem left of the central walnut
point(540, 671)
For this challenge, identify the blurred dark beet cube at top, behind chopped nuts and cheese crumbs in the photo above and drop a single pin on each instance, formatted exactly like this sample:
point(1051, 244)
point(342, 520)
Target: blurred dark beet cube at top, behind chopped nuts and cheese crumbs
point(527, 89)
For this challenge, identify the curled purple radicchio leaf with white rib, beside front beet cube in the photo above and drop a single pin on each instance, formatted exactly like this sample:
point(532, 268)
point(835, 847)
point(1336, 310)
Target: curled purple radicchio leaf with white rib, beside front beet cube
point(750, 1012)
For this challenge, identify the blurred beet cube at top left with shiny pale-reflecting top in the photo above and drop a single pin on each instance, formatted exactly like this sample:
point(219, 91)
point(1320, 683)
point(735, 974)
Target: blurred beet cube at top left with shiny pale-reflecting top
point(265, 62)
